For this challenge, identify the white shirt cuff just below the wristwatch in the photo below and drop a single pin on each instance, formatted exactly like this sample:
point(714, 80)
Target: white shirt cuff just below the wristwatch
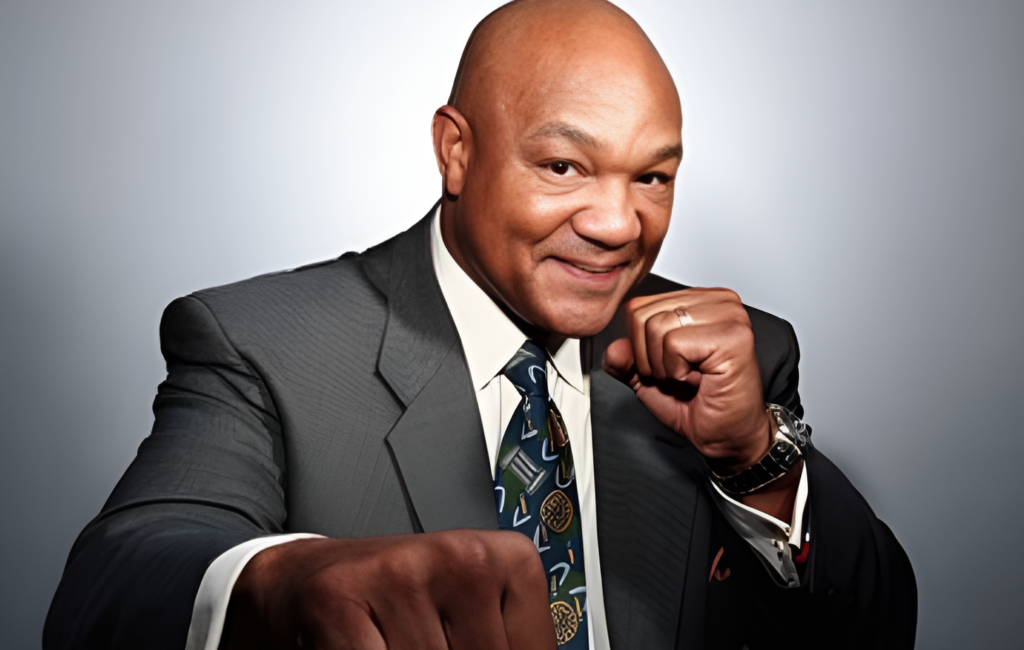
point(772, 539)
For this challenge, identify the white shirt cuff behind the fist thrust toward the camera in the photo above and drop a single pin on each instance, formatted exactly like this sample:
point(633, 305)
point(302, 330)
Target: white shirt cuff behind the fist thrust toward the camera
point(216, 590)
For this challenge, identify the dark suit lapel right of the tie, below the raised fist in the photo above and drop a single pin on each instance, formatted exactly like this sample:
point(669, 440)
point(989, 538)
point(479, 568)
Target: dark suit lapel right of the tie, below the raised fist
point(648, 493)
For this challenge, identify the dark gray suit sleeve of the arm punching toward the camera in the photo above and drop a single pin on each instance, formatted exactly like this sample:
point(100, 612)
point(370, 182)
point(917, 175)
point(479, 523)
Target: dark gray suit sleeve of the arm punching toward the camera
point(209, 478)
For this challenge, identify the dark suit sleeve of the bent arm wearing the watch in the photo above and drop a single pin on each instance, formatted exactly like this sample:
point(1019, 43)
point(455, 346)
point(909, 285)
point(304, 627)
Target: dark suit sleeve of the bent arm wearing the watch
point(859, 589)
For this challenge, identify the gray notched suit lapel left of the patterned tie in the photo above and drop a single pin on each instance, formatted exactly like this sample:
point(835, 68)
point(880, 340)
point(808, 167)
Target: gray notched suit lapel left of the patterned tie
point(438, 444)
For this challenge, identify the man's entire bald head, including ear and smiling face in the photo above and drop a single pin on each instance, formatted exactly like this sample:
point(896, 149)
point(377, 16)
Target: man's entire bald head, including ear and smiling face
point(559, 151)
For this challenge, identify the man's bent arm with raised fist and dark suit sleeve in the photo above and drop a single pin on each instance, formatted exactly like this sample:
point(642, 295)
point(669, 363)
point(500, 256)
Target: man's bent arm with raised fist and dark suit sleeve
point(702, 376)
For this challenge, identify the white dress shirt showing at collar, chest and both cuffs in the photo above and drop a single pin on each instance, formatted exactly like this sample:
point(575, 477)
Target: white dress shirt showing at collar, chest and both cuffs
point(490, 339)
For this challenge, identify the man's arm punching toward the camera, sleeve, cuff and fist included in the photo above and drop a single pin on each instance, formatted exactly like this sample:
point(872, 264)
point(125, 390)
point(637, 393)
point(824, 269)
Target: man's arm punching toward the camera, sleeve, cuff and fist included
point(210, 479)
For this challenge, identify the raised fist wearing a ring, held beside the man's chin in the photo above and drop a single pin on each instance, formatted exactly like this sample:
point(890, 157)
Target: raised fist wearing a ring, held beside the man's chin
point(692, 362)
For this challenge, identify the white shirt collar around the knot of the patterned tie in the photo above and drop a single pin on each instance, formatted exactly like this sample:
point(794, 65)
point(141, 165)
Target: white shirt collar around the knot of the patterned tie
point(489, 337)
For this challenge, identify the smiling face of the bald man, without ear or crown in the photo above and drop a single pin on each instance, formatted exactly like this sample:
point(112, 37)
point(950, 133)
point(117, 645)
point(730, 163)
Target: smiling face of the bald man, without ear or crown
point(569, 189)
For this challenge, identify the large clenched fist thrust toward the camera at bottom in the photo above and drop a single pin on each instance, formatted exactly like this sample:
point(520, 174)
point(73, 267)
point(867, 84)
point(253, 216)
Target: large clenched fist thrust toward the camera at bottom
point(457, 589)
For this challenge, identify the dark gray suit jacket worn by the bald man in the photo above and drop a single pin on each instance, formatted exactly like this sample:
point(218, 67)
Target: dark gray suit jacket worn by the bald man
point(336, 400)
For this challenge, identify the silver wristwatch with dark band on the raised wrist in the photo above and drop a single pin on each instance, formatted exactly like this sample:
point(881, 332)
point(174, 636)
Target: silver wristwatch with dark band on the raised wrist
point(793, 439)
